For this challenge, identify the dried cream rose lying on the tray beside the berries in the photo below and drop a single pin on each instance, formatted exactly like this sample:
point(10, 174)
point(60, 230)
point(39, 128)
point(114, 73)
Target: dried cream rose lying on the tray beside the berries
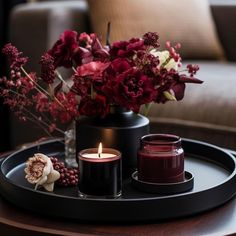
point(39, 170)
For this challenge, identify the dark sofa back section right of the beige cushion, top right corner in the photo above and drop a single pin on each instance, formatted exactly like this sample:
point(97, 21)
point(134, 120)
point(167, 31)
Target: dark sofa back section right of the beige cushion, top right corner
point(224, 14)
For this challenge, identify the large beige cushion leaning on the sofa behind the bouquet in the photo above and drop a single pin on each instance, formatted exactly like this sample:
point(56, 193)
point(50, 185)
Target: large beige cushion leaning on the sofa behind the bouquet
point(186, 21)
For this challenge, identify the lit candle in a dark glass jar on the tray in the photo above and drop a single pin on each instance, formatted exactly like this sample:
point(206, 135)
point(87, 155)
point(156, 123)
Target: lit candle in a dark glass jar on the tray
point(100, 174)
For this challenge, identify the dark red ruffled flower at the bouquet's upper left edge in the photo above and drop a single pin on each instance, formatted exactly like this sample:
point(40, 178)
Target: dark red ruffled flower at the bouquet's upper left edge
point(63, 50)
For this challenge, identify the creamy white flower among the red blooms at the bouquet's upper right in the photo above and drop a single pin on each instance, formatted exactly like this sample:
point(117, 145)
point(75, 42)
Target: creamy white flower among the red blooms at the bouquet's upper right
point(163, 57)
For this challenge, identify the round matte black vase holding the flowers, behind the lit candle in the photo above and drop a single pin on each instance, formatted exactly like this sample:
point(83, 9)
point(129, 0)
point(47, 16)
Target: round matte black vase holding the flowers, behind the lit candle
point(120, 129)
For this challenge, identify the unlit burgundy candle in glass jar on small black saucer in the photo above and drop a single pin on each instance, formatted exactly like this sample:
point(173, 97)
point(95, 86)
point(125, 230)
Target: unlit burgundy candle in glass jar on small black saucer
point(161, 159)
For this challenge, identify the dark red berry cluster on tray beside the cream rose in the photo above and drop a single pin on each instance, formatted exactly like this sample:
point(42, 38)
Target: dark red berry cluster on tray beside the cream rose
point(68, 176)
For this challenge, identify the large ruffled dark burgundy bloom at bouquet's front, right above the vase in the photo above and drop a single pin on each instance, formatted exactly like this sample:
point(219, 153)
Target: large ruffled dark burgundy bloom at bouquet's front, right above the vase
point(132, 89)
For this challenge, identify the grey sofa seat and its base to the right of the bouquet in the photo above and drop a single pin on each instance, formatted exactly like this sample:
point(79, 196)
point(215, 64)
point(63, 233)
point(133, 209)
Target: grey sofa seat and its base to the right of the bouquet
point(207, 111)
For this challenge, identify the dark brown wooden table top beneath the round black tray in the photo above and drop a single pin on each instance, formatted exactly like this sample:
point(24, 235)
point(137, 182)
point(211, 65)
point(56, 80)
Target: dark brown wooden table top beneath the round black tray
point(16, 221)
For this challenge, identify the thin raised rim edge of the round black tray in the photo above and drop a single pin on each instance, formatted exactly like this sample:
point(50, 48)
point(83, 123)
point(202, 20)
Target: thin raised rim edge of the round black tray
point(146, 199)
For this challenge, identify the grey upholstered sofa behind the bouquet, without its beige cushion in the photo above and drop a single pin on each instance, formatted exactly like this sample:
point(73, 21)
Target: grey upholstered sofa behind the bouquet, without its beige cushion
point(206, 113)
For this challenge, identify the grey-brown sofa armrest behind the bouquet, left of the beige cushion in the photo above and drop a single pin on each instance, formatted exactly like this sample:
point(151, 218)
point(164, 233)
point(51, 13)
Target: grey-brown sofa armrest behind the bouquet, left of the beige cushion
point(34, 27)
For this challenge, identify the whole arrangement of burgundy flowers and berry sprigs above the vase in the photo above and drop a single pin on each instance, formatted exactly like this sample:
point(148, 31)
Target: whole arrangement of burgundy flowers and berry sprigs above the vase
point(127, 73)
